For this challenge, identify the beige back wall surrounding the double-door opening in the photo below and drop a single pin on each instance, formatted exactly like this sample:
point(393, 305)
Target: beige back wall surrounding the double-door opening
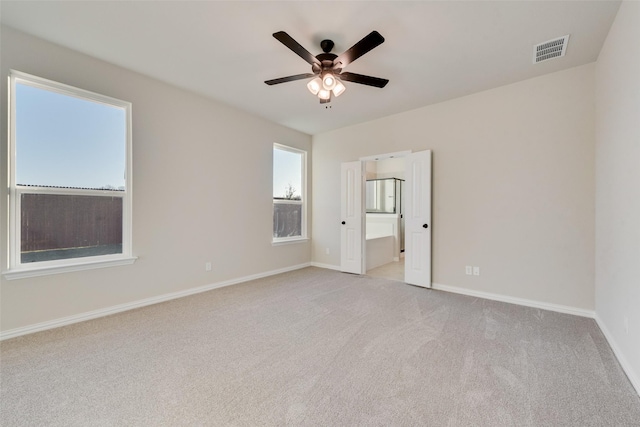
point(513, 186)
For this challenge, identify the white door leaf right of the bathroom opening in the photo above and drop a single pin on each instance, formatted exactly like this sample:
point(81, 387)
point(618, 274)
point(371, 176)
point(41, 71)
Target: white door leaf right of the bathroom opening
point(417, 217)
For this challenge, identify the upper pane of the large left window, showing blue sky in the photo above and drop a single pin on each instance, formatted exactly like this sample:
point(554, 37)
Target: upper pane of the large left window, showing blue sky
point(64, 141)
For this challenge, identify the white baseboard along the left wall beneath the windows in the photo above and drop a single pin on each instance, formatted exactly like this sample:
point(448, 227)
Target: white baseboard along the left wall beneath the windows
point(76, 318)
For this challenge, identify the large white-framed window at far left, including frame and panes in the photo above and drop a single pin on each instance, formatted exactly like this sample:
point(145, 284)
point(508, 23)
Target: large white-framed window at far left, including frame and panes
point(70, 178)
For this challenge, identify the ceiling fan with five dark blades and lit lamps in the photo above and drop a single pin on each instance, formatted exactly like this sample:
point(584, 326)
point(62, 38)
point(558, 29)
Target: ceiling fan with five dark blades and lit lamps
point(327, 68)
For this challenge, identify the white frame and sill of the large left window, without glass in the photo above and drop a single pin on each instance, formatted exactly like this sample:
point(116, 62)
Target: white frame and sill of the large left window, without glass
point(18, 270)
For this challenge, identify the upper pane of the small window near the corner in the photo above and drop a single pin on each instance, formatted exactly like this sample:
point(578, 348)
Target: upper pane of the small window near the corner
point(287, 175)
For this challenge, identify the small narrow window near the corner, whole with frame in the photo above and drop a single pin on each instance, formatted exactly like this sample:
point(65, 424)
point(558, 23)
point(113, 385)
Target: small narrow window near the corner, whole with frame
point(289, 188)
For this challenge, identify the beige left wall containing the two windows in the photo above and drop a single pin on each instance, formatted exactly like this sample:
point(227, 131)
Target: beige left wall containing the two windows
point(201, 191)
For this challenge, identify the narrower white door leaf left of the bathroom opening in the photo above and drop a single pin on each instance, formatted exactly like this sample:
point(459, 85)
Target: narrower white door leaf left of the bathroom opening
point(351, 257)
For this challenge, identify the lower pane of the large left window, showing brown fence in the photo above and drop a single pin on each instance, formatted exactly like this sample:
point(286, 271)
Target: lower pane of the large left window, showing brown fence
point(56, 226)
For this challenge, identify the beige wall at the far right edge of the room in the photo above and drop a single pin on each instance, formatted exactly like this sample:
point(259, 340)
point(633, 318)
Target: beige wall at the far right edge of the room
point(618, 188)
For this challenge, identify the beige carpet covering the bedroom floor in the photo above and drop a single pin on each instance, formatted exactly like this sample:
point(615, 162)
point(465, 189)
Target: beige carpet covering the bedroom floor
point(322, 348)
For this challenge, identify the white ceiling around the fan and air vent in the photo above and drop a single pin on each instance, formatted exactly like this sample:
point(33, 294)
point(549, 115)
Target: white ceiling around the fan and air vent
point(434, 51)
